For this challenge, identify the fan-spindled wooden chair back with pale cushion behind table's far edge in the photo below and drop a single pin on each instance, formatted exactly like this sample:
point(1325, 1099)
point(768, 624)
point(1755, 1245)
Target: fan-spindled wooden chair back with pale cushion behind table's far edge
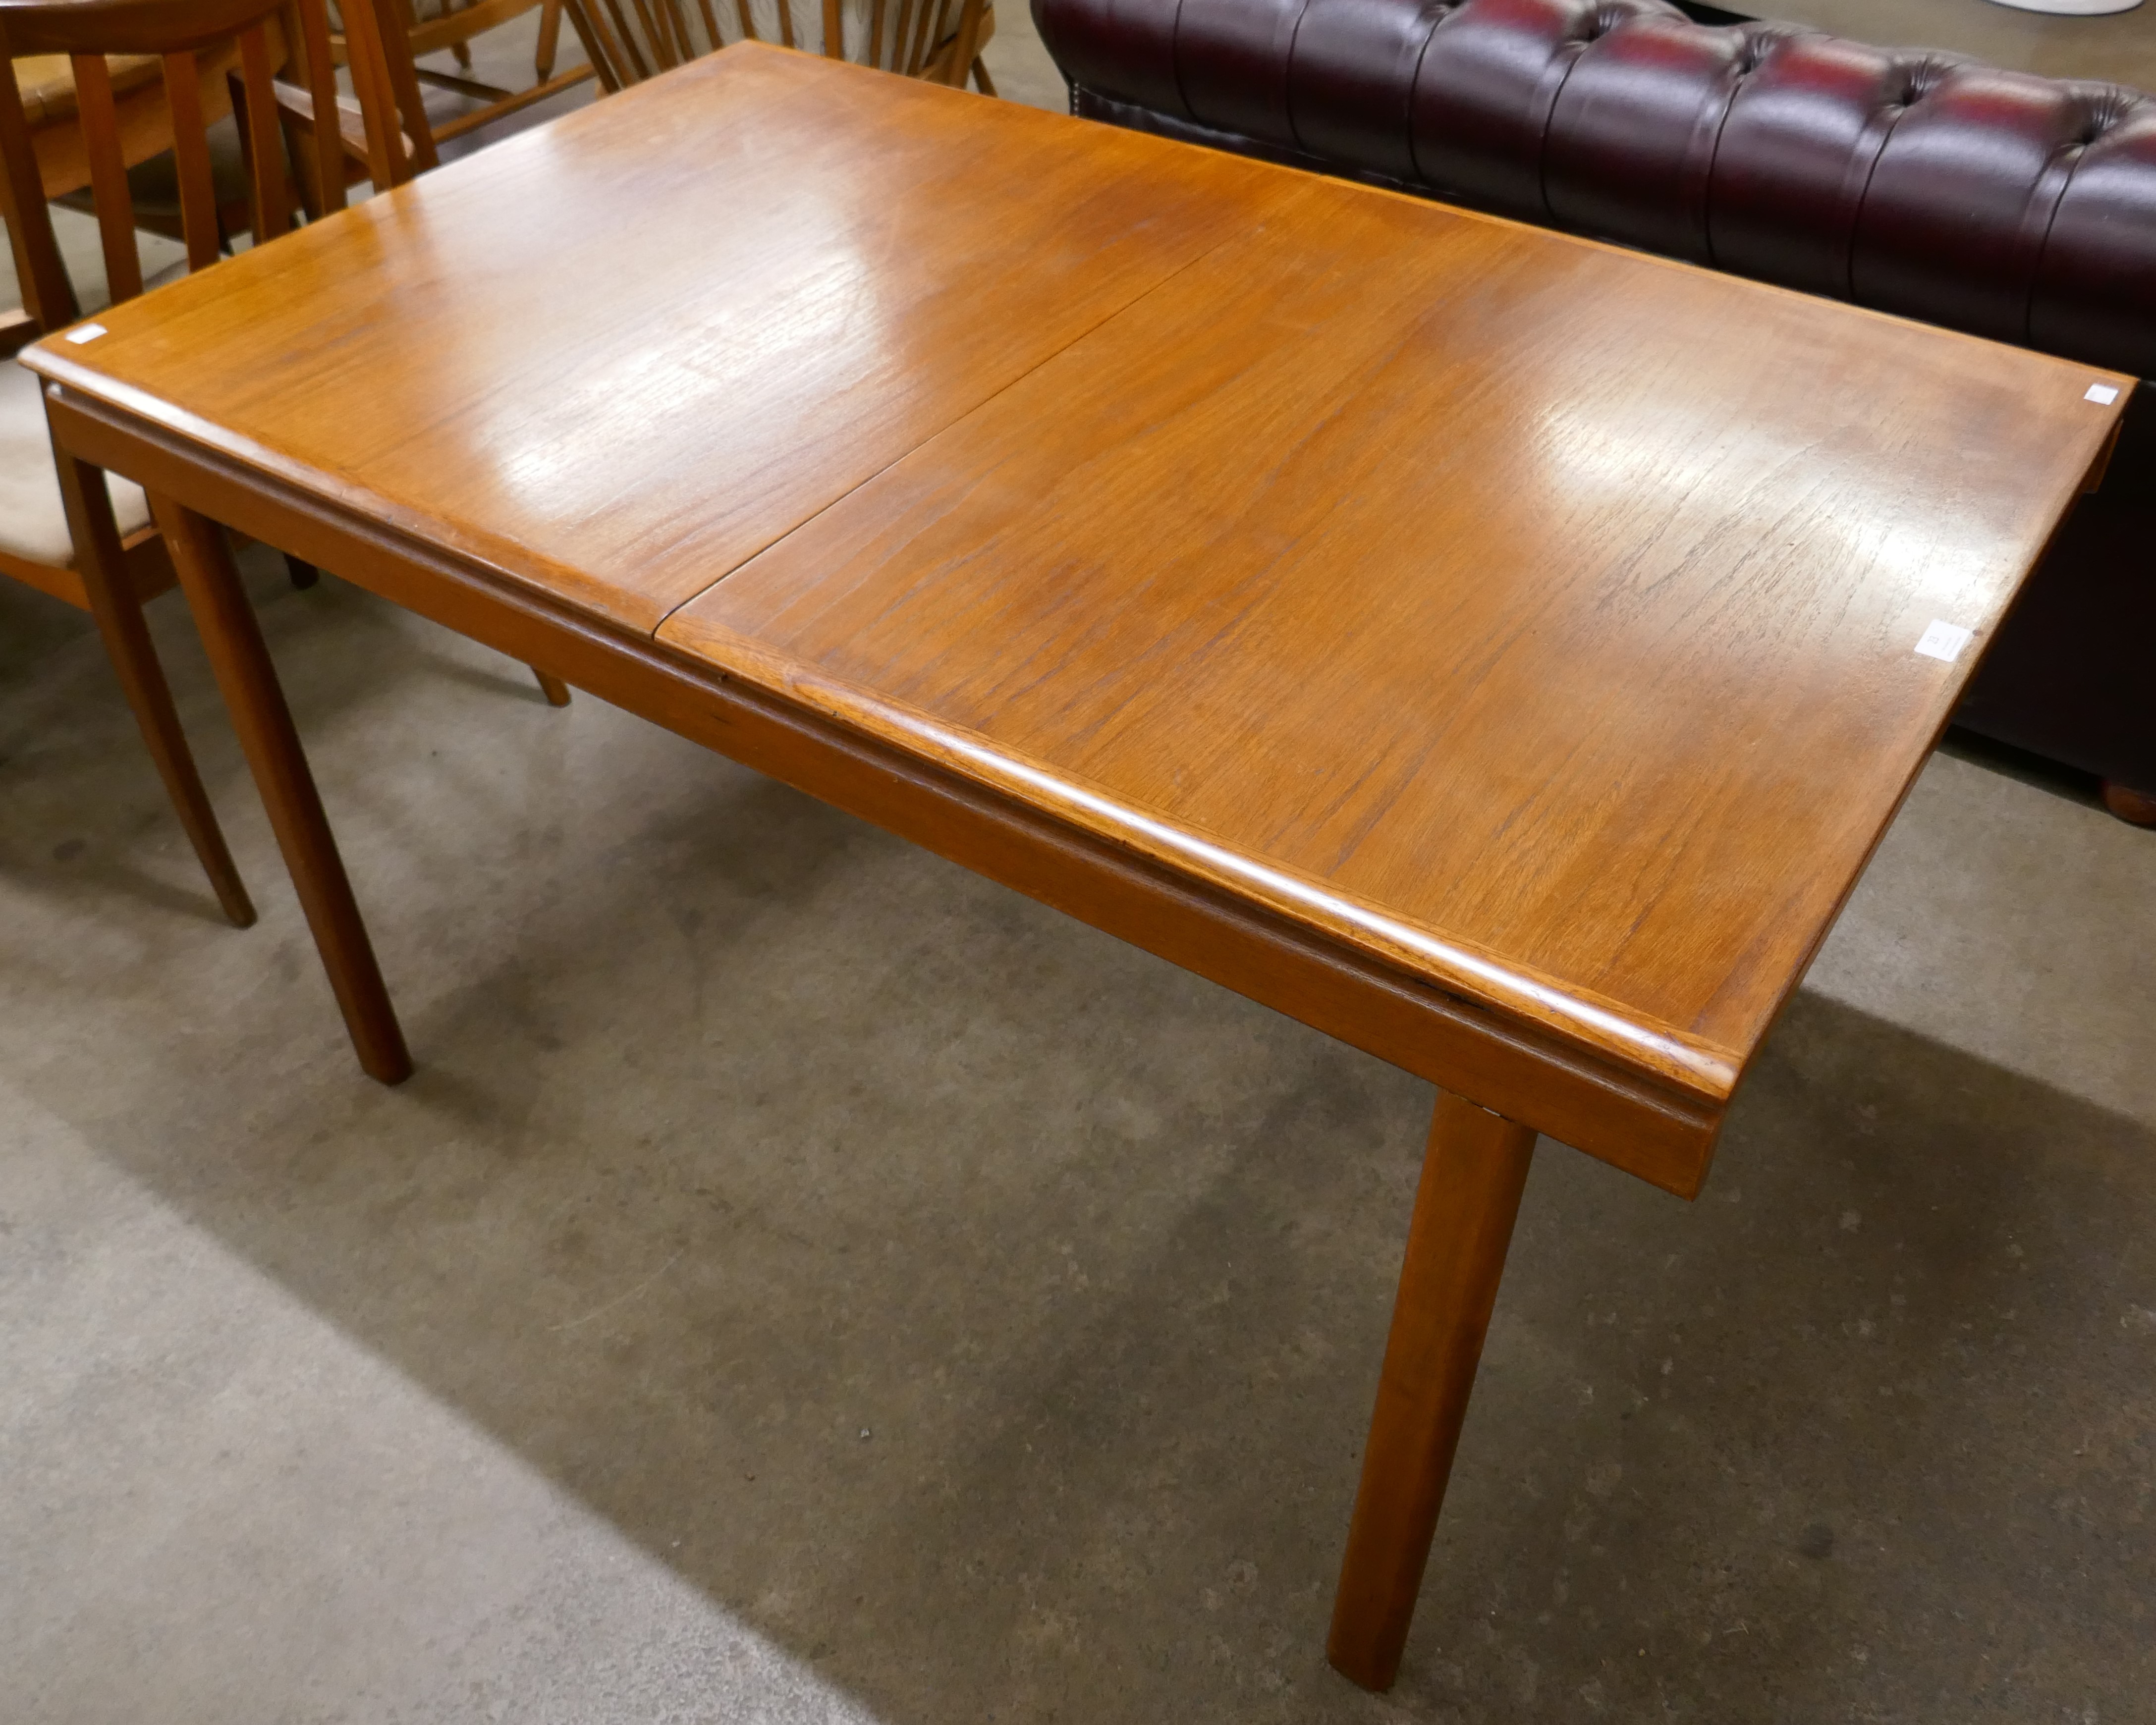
point(633, 40)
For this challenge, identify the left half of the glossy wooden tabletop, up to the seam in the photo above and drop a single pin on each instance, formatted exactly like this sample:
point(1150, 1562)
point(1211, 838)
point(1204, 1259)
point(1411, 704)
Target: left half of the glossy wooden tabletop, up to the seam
point(620, 355)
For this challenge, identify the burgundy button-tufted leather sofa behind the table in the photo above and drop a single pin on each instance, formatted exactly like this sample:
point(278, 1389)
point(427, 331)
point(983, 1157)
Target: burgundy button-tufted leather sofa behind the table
point(1924, 184)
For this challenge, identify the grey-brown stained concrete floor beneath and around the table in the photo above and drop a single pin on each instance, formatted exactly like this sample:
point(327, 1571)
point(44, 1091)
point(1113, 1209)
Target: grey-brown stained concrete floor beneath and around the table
point(810, 1284)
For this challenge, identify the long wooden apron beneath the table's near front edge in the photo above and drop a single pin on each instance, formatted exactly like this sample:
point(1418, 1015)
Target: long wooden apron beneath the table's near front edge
point(1515, 1071)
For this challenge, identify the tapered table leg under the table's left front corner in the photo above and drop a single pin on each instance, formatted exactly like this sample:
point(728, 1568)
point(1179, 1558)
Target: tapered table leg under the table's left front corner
point(236, 650)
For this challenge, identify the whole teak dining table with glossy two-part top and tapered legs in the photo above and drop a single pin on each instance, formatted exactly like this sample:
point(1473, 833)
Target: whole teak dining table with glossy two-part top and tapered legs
point(1495, 650)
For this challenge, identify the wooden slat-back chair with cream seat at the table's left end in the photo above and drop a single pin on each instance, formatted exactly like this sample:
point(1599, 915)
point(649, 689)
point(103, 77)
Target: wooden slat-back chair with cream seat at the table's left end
point(64, 527)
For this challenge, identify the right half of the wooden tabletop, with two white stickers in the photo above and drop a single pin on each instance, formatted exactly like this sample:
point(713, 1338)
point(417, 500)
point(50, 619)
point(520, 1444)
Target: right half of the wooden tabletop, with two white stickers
point(1534, 616)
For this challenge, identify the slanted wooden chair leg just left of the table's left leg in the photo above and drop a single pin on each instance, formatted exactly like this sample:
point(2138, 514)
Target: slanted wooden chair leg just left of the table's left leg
point(135, 661)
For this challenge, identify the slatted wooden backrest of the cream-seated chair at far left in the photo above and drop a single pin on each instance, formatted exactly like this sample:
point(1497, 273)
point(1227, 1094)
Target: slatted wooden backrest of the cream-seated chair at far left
point(197, 42)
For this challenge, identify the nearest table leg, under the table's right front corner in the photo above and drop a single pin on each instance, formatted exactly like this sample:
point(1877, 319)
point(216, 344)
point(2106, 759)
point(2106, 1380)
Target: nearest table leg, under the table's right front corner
point(1465, 1209)
